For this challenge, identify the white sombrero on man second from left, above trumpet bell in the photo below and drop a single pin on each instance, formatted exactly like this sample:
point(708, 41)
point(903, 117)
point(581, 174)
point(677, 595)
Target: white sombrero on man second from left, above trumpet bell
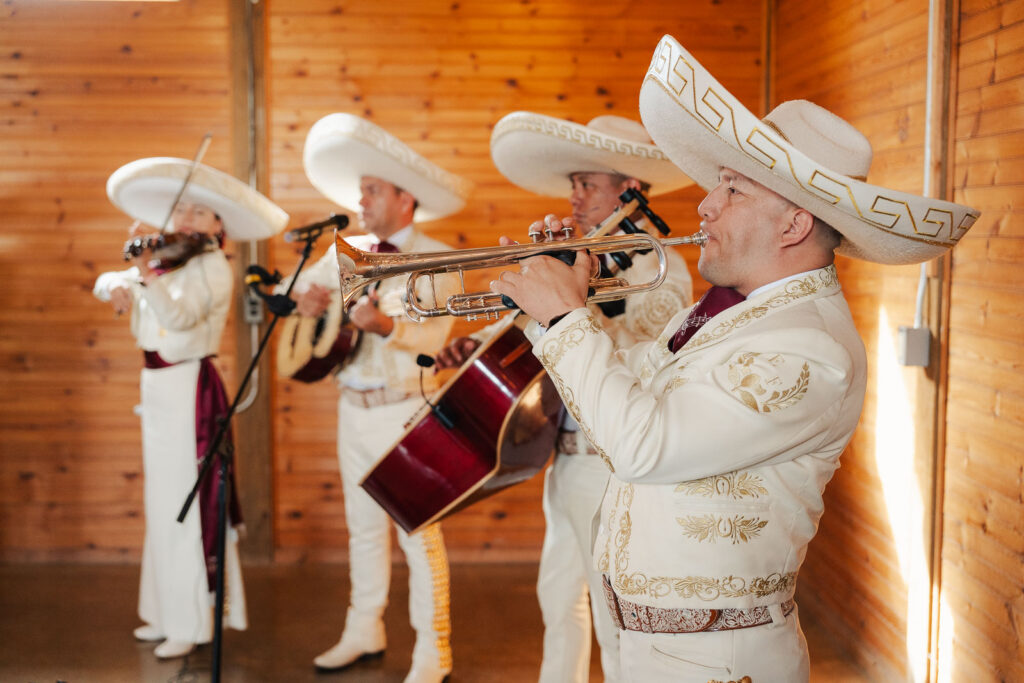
point(342, 149)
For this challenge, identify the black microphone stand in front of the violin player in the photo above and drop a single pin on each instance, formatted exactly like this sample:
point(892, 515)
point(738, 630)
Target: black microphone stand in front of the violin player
point(280, 306)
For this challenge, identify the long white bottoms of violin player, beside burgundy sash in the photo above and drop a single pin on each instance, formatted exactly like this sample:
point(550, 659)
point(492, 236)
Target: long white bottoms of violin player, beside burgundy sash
point(175, 596)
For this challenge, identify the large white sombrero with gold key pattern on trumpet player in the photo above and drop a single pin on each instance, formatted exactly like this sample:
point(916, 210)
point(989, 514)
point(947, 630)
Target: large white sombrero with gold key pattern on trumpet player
point(801, 151)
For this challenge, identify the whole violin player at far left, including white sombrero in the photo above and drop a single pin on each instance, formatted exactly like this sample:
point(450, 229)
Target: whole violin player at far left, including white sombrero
point(179, 293)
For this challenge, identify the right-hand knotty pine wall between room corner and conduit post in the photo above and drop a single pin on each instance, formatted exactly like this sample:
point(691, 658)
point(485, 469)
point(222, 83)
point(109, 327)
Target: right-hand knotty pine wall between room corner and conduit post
point(868, 64)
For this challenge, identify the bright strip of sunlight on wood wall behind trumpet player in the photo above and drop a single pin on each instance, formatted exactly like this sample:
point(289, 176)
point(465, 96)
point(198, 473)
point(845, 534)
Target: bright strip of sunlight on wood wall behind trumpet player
point(894, 458)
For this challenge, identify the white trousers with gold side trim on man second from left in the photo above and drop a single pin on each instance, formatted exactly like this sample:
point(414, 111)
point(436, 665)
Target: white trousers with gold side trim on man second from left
point(365, 436)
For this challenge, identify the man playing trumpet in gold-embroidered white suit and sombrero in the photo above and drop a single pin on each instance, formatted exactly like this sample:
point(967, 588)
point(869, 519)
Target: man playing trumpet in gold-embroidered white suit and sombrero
point(722, 434)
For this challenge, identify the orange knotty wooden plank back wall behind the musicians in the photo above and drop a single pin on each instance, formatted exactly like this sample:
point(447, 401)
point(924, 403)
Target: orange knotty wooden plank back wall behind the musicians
point(149, 79)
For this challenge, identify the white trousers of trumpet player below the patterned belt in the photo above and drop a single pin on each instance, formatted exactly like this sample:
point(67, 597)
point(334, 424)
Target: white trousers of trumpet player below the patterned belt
point(776, 654)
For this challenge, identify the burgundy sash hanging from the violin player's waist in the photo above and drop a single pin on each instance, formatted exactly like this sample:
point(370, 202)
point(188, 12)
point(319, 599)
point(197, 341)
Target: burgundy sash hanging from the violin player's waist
point(211, 404)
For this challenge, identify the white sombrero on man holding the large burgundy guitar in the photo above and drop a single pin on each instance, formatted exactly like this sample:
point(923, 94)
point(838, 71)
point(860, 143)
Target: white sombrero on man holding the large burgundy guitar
point(538, 153)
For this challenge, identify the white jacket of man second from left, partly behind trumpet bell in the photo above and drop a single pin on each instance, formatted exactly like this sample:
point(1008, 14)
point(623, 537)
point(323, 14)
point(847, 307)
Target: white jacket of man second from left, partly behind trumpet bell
point(391, 361)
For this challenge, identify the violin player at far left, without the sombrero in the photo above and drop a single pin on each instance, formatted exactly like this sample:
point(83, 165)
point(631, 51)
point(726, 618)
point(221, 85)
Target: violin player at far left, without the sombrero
point(179, 293)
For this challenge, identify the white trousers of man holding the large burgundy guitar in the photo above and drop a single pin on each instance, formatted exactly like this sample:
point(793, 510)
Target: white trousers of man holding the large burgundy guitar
point(573, 491)
